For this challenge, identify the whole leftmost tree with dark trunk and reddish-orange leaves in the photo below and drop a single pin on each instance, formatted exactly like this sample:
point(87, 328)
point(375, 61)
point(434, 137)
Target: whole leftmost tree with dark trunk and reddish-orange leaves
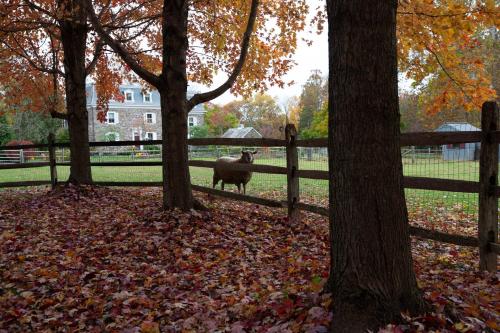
point(44, 41)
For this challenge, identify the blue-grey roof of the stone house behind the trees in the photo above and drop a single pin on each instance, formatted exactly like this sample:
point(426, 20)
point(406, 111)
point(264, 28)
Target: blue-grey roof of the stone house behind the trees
point(138, 98)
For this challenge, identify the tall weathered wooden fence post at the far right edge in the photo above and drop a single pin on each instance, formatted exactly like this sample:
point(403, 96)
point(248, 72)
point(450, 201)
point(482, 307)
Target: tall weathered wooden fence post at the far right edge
point(488, 177)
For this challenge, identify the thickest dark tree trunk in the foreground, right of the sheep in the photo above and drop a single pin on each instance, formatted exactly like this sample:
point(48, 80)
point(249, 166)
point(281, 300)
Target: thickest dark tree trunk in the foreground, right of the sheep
point(372, 278)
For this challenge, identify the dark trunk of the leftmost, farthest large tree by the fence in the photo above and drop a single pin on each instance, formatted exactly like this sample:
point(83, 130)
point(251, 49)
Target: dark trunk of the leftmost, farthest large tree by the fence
point(74, 39)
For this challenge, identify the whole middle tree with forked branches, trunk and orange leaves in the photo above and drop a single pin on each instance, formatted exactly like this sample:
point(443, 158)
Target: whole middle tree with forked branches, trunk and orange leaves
point(188, 50)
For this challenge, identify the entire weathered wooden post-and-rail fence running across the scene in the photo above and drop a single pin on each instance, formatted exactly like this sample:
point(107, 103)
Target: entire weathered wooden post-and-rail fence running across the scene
point(487, 187)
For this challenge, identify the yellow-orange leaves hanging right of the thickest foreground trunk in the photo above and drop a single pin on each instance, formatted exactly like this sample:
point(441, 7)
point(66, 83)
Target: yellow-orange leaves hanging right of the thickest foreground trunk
point(447, 47)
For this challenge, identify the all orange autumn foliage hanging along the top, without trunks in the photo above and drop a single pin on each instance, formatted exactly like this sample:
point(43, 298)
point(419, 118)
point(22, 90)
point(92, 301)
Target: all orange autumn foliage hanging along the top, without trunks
point(441, 40)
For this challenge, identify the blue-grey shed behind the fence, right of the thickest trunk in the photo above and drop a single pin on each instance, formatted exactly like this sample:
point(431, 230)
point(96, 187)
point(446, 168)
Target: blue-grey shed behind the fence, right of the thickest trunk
point(460, 151)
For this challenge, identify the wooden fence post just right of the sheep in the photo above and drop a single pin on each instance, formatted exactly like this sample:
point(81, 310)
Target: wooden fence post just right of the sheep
point(292, 165)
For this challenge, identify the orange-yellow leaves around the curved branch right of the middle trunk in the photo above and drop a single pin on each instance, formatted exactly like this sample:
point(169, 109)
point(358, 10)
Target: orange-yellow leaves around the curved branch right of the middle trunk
point(216, 28)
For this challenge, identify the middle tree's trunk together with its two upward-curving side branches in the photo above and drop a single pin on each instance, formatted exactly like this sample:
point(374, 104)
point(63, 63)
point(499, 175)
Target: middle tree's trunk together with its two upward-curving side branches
point(172, 86)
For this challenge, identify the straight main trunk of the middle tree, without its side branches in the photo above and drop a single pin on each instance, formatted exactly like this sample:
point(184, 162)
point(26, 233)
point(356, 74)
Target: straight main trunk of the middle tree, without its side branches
point(176, 179)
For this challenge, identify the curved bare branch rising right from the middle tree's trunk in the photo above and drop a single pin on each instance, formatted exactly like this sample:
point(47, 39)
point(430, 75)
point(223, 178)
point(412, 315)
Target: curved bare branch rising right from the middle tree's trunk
point(207, 96)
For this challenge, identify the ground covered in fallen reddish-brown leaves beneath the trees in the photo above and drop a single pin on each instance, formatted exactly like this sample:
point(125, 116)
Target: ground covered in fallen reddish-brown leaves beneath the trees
point(97, 259)
